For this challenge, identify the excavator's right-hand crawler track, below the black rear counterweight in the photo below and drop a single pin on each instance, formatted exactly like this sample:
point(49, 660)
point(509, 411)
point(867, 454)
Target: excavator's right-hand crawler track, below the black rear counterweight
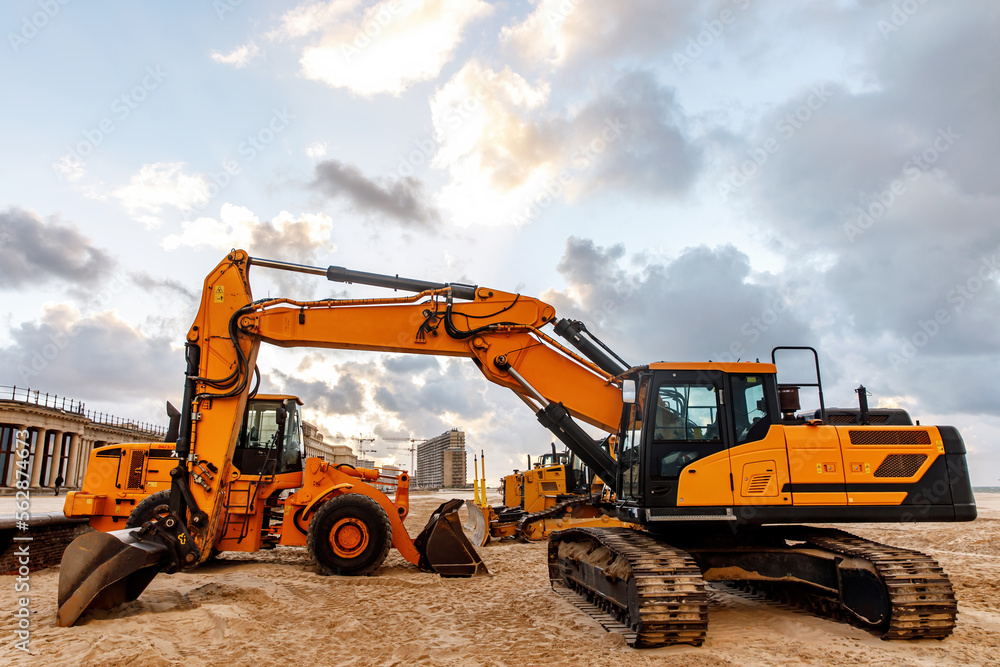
point(920, 596)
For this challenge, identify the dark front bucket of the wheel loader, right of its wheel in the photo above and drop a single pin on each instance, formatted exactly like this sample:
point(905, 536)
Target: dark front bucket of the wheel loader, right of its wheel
point(443, 546)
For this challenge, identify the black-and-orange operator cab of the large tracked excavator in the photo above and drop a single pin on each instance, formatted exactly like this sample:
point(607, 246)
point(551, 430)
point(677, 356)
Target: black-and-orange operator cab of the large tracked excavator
point(684, 420)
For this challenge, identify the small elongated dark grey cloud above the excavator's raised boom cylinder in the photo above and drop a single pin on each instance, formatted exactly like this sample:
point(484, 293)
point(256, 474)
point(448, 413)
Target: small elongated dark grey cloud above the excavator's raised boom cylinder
point(402, 199)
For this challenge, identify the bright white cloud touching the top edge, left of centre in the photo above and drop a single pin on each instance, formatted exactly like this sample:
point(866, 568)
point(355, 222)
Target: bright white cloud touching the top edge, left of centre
point(390, 46)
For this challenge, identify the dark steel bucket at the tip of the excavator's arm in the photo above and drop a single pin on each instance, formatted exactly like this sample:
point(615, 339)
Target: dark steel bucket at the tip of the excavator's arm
point(104, 570)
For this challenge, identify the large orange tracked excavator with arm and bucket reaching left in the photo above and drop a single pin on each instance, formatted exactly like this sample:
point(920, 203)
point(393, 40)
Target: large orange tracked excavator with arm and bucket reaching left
point(712, 465)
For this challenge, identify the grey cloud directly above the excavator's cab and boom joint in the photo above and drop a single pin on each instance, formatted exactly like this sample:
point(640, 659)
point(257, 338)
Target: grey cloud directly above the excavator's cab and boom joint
point(701, 305)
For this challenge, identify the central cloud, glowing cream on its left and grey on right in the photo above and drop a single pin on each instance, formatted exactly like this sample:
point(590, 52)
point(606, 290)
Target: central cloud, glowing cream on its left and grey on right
point(510, 154)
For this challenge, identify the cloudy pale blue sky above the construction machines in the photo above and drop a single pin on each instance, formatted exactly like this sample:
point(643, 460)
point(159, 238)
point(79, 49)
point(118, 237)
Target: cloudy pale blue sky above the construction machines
point(693, 180)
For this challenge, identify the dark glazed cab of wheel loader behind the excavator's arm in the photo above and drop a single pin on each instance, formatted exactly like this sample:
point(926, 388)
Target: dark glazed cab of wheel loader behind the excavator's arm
point(270, 440)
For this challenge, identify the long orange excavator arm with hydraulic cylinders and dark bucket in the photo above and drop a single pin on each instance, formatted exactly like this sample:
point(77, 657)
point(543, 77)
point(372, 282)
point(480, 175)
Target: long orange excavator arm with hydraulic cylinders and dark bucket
point(501, 332)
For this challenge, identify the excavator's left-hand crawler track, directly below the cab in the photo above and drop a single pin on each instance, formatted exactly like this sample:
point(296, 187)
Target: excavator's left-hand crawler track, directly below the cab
point(654, 589)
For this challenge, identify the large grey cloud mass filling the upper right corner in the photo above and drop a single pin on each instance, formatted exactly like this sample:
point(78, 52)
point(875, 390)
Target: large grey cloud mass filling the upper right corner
point(885, 200)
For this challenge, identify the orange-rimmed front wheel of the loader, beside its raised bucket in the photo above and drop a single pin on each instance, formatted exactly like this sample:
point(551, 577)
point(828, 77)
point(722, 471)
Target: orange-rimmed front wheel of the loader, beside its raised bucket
point(349, 536)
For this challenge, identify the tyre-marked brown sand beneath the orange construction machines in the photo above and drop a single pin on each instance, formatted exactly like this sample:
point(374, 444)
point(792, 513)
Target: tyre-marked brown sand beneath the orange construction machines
point(273, 608)
